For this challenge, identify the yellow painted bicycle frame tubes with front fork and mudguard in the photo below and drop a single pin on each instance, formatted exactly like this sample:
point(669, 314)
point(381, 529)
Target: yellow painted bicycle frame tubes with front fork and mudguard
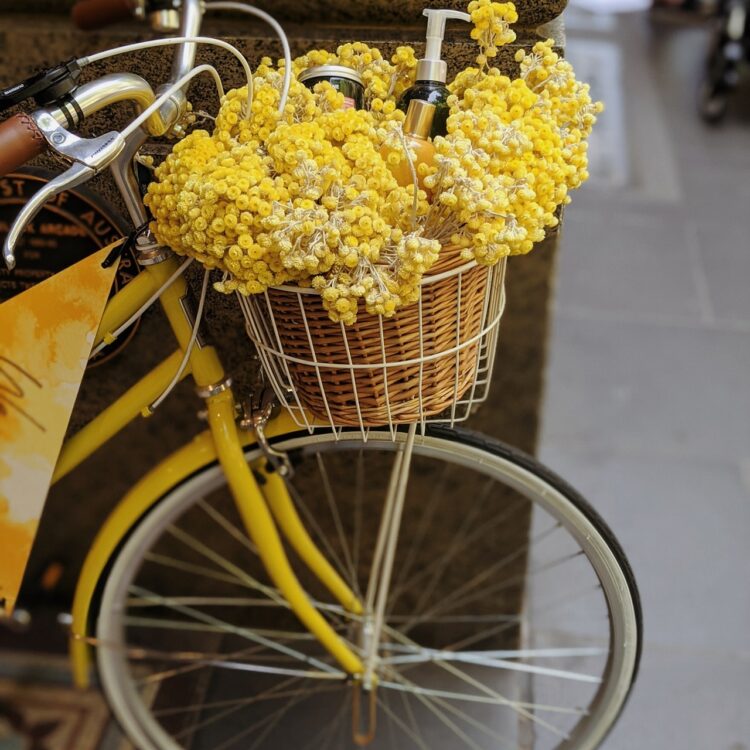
point(263, 510)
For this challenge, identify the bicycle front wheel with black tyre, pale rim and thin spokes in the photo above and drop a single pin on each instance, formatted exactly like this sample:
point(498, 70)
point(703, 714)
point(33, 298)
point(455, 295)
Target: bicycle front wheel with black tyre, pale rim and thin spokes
point(512, 621)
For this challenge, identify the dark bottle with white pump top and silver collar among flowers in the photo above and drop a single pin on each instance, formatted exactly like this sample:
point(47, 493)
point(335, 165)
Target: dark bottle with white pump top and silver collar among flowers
point(432, 72)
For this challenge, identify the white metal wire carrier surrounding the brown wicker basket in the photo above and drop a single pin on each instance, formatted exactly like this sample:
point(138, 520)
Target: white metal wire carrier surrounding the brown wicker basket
point(263, 331)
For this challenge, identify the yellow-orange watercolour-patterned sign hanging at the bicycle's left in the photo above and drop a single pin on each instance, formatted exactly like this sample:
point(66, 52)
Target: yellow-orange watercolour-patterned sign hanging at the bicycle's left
point(46, 335)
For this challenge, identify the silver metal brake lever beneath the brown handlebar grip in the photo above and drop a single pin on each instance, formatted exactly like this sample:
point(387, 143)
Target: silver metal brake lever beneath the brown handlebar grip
point(89, 156)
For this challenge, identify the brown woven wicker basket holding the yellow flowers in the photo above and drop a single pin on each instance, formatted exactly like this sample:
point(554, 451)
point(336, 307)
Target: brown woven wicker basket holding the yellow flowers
point(385, 370)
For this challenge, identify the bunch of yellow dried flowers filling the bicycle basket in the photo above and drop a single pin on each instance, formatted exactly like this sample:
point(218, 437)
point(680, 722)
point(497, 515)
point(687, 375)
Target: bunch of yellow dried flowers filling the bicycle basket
point(305, 196)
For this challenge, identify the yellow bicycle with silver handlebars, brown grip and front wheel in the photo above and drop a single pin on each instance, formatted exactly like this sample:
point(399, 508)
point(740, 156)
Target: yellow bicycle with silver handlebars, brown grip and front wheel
point(314, 608)
